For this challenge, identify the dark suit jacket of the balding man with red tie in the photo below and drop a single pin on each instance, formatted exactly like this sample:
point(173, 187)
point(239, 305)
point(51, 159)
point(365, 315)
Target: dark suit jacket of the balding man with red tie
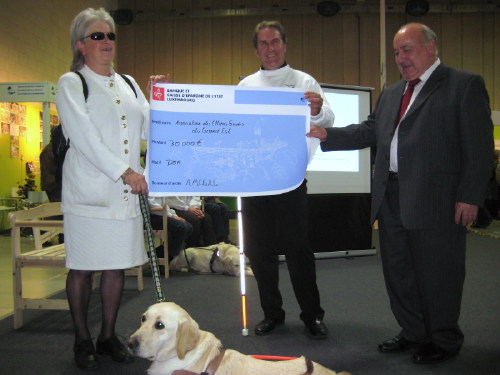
point(445, 146)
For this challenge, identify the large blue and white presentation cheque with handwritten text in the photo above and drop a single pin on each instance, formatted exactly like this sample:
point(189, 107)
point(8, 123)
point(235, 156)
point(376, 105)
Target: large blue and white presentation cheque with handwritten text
point(213, 140)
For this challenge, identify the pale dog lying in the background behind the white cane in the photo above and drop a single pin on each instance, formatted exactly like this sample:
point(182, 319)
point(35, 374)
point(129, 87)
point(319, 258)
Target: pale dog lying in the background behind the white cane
point(220, 258)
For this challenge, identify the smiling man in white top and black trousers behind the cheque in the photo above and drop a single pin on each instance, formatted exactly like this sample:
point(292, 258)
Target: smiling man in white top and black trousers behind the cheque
point(277, 224)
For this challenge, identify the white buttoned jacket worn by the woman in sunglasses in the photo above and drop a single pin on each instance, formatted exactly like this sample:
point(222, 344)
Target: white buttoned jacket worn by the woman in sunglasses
point(105, 134)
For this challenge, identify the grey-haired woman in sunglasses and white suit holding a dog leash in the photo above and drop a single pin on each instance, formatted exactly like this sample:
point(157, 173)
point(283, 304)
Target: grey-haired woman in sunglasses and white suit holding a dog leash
point(101, 179)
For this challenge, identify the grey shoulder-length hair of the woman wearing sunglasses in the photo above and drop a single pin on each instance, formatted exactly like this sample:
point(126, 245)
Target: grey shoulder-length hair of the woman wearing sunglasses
point(79, 28)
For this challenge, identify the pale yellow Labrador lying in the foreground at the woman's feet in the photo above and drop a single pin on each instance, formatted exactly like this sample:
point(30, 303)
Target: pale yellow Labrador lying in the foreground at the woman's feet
point(172, 340)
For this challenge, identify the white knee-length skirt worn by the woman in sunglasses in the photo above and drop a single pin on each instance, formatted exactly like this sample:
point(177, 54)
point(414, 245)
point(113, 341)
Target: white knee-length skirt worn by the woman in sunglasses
point(103, 244)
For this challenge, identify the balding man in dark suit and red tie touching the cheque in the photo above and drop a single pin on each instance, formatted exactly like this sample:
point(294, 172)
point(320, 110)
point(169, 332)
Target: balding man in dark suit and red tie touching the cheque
point(431, 174)
